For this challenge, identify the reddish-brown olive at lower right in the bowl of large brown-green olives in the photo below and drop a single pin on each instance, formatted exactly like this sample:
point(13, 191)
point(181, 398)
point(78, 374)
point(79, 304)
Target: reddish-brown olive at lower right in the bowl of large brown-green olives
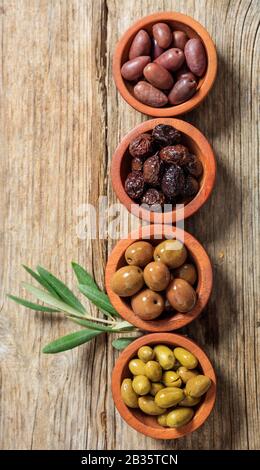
point(181, 295)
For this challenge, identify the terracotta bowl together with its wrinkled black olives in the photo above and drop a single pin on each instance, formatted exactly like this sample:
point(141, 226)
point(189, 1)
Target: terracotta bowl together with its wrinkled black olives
point(163, 170)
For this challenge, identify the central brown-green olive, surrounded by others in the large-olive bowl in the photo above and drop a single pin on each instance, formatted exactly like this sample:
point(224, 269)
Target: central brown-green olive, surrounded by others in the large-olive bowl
point(156, 276)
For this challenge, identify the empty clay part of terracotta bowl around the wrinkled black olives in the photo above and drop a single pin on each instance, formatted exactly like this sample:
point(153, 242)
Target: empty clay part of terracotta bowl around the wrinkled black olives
point(197, 144)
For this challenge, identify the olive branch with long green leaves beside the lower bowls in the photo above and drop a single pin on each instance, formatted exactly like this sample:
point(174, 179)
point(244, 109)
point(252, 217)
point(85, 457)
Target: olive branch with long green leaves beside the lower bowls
point(60, 299)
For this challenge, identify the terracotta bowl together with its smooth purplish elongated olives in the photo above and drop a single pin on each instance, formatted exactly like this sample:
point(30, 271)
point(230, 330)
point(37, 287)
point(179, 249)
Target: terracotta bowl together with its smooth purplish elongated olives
point(165, 64)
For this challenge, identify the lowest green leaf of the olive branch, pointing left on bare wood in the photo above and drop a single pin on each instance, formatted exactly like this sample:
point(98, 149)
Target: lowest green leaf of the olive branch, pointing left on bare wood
point(70, 341)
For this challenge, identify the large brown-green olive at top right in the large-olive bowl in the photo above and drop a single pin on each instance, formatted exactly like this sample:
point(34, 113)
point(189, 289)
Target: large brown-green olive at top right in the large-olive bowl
point(171, 252)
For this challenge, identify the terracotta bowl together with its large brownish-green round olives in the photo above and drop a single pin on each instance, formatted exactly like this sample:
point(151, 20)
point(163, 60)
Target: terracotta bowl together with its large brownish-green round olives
point(159, 278)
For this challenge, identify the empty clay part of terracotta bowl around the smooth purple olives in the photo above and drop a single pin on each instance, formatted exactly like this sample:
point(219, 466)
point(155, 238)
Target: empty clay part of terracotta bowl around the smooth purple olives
point(177, 21)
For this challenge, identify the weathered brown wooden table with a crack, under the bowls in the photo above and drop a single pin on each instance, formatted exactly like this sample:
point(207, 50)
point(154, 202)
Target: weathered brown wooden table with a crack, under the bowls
point(61, 119)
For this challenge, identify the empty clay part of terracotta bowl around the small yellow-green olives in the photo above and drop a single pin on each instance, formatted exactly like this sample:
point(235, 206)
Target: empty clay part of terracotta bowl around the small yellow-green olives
point(148, 424)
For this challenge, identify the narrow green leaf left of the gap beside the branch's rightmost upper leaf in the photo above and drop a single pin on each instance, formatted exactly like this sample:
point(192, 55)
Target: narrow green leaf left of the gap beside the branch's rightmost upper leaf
point(62, 290)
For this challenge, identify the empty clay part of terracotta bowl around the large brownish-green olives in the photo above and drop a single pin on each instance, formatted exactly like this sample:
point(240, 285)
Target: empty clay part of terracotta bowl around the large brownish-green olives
point(155, 234)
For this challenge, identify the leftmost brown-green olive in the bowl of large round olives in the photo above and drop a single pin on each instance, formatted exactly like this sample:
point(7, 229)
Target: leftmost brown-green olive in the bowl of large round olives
point(127, 281)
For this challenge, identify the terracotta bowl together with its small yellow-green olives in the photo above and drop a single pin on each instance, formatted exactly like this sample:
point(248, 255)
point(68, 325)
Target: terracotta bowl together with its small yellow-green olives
point(164, 385)
